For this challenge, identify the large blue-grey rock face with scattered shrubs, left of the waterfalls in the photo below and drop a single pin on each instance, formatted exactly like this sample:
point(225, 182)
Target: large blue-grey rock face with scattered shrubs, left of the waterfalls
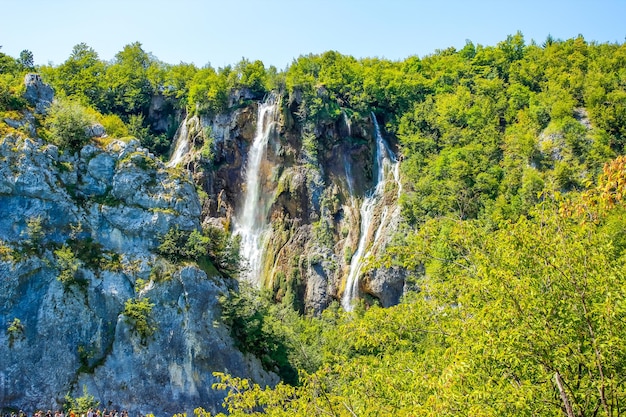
point(109, 207)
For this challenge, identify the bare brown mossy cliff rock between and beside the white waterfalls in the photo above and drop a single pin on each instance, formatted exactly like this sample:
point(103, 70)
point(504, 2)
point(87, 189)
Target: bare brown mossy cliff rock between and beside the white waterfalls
point(314, 188)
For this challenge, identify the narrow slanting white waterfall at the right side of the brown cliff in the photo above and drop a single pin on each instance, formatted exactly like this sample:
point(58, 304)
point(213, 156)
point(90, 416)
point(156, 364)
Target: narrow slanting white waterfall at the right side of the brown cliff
point(386, 163)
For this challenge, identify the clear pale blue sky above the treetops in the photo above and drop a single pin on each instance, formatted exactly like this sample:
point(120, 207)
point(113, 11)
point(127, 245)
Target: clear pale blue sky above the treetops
point(277, 31)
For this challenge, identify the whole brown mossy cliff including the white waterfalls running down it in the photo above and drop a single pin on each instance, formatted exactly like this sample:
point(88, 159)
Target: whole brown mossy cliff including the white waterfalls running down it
point(308, 189)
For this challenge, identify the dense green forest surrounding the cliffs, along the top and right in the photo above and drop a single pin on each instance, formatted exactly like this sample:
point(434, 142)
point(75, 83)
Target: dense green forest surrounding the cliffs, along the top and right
point(514, 221)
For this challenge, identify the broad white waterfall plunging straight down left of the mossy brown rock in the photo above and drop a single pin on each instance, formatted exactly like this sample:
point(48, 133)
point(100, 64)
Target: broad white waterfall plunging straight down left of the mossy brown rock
point(250, 222)
